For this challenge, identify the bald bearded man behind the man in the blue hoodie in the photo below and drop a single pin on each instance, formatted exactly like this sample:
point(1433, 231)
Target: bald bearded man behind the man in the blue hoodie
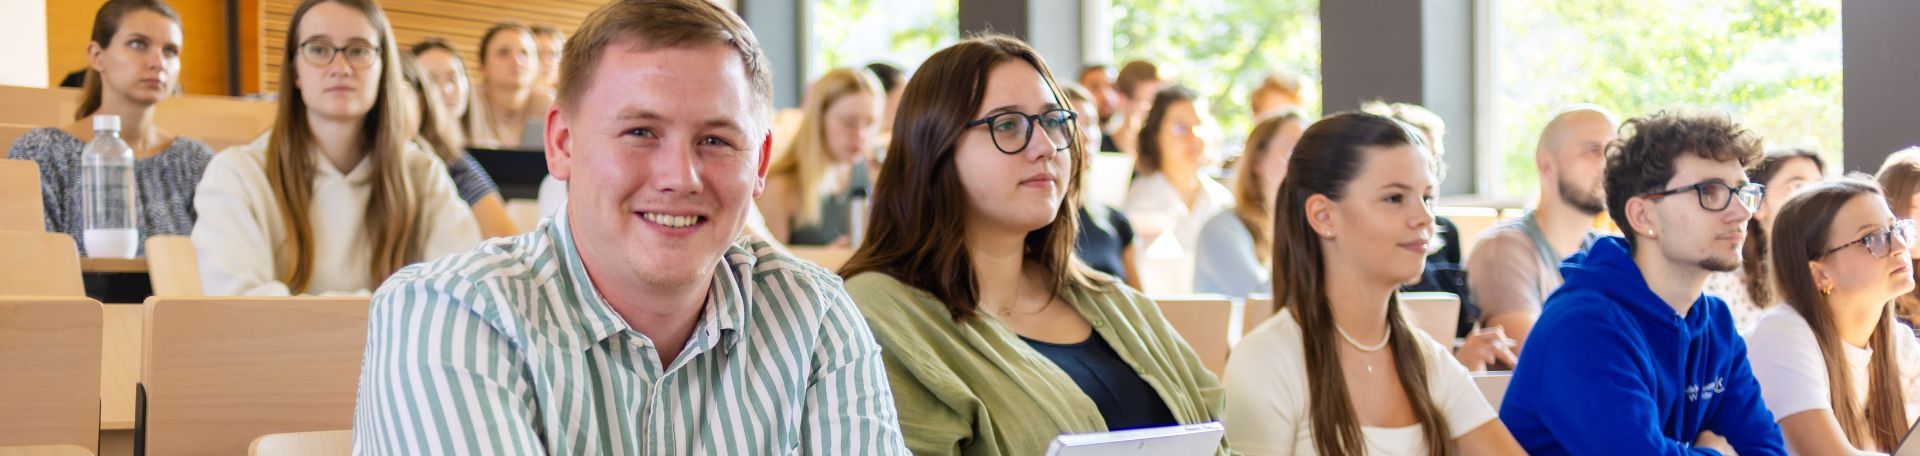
point(1516, 265)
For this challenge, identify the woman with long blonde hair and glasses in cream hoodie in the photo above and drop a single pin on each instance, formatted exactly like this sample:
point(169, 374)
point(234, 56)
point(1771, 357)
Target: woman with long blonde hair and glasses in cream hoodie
point(333, 200)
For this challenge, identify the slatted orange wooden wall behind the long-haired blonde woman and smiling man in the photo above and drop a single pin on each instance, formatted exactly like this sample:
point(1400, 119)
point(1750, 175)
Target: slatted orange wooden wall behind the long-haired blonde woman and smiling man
point(460, 22)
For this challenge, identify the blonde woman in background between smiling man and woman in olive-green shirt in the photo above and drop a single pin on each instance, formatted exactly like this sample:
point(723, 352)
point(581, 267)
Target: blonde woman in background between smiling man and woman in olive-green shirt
point(809, 189)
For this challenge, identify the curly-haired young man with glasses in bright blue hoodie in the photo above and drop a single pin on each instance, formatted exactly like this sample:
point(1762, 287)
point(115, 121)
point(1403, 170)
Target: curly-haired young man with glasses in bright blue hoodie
point(1629, 357)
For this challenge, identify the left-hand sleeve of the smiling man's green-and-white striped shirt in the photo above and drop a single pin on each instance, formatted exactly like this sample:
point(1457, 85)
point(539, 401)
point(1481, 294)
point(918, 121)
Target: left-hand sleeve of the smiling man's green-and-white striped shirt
point(439, 380)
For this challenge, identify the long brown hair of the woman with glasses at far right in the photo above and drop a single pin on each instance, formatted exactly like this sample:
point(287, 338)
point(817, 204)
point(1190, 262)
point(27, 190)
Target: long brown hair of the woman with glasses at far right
point(1796, 246)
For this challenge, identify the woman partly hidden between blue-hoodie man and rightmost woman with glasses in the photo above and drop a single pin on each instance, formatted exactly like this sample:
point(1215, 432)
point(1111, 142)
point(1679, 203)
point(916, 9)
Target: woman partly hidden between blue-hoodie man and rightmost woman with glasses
point(1750, 288)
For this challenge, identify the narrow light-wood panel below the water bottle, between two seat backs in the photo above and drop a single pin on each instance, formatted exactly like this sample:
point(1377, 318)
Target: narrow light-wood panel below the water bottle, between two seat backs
point(120, 365)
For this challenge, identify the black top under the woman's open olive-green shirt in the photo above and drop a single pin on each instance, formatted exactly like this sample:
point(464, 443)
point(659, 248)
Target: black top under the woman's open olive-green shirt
point(1126, 401)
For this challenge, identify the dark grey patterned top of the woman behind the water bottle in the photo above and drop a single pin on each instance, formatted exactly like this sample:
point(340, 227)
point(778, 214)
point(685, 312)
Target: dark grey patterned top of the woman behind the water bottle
point(166, 183)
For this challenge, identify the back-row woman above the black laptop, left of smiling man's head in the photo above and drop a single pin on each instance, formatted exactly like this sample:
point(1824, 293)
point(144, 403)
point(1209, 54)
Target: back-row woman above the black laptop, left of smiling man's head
point(510, 108)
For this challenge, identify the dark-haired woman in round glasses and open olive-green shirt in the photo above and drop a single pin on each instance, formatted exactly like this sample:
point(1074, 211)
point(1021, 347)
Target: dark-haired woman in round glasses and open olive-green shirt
point(996, 336)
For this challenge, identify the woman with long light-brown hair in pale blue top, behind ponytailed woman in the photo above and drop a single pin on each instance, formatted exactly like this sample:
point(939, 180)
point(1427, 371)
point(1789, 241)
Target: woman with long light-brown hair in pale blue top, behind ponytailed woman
point(1232, 256)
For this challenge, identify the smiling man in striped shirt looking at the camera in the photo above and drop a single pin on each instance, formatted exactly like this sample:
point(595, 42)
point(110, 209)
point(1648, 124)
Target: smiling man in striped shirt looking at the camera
point(635, 321)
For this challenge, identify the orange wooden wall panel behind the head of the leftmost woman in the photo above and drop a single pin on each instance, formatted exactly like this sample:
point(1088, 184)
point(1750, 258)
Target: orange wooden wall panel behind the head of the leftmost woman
point(203, 26)
